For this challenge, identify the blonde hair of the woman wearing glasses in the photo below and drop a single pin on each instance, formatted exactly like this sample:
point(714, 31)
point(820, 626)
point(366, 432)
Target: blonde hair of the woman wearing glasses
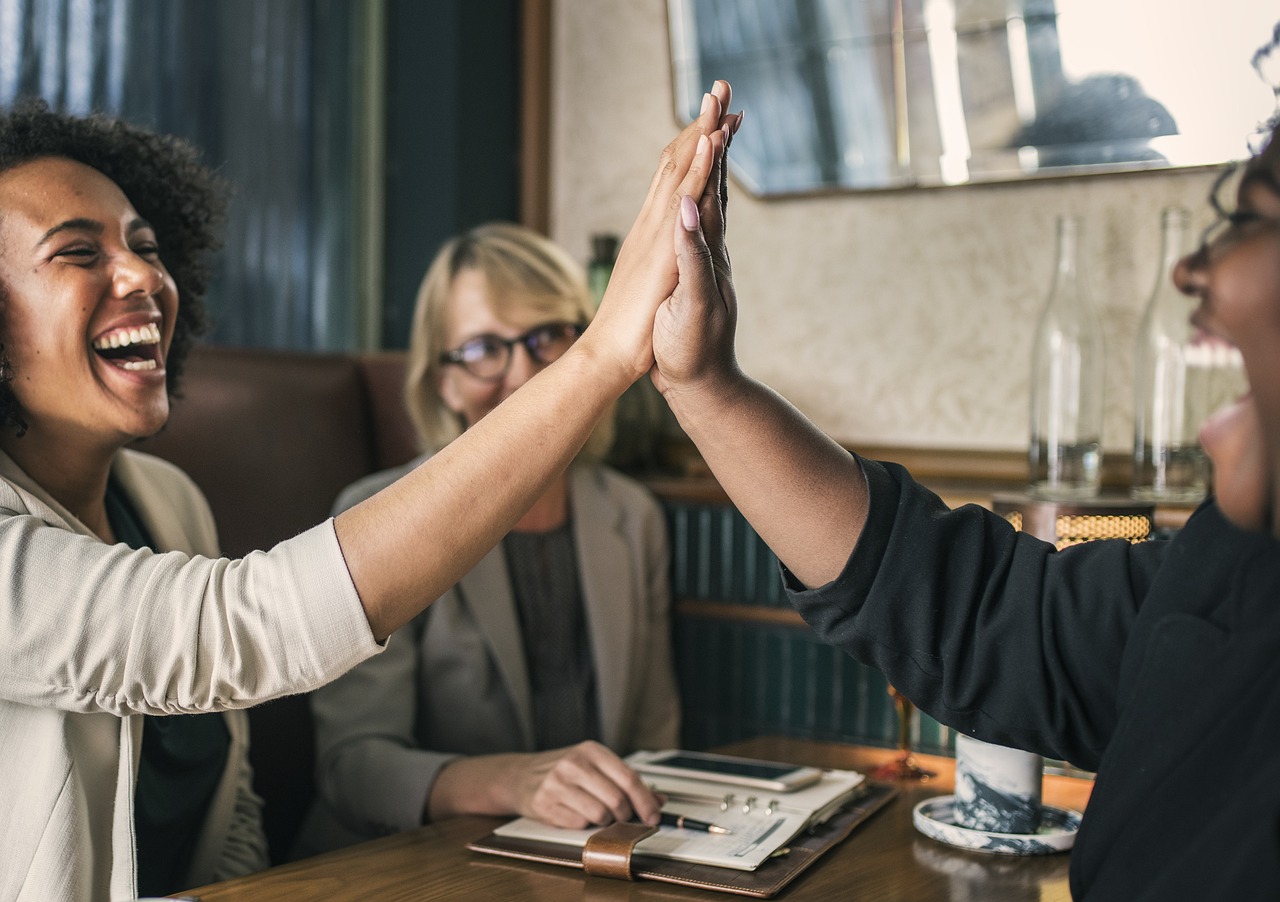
point(524, 271)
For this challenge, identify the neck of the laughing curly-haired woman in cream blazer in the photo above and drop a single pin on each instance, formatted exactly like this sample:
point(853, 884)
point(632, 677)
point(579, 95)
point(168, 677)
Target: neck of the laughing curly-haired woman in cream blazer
point(74, 475)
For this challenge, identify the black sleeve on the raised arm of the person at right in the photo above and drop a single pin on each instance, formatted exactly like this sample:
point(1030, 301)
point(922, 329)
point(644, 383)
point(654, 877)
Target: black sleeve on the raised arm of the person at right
point(989, 630)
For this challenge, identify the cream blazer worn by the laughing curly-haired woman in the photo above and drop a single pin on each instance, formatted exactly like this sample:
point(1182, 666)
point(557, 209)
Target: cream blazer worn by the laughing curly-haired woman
point(93, 635)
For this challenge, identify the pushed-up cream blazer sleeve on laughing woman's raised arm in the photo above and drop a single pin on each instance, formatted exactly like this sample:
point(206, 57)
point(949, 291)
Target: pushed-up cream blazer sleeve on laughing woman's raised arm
point(92, 628)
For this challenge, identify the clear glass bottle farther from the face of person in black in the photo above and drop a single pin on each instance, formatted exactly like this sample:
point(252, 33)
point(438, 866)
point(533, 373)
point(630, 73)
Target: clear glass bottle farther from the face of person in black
point(1066, 451)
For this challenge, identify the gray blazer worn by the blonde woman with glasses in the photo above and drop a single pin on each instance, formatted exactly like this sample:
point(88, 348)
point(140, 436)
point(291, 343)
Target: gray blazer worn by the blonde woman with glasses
point(455, 681)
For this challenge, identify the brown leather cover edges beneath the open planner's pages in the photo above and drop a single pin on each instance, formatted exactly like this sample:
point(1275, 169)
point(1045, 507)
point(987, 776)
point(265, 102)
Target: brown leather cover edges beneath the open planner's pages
point(765, 882)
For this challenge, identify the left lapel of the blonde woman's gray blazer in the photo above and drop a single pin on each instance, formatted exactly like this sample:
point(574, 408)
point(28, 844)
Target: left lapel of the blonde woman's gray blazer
point(486, 592)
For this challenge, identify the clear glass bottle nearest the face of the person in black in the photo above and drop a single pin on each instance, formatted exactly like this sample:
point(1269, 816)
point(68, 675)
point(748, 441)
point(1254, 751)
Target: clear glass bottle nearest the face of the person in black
point(1173, 382)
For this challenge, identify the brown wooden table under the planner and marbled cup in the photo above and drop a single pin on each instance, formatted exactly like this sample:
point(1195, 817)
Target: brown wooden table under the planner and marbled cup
point(885, 859)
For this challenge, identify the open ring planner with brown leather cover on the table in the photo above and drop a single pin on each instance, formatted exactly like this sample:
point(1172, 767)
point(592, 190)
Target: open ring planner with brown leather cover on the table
point(774, 835)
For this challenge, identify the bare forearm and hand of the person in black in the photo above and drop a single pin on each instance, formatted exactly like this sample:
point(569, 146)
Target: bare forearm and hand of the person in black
point(801, 491)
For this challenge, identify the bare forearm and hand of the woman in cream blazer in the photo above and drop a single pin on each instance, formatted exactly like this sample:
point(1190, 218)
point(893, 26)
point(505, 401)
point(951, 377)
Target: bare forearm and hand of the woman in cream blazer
point(415, 539)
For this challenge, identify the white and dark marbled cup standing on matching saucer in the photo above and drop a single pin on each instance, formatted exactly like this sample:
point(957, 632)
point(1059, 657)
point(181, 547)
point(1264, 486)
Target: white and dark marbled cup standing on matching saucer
point(998, 789)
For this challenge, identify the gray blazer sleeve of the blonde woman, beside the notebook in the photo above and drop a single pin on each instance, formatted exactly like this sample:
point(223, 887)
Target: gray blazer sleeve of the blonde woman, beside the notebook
point(371, 771)
